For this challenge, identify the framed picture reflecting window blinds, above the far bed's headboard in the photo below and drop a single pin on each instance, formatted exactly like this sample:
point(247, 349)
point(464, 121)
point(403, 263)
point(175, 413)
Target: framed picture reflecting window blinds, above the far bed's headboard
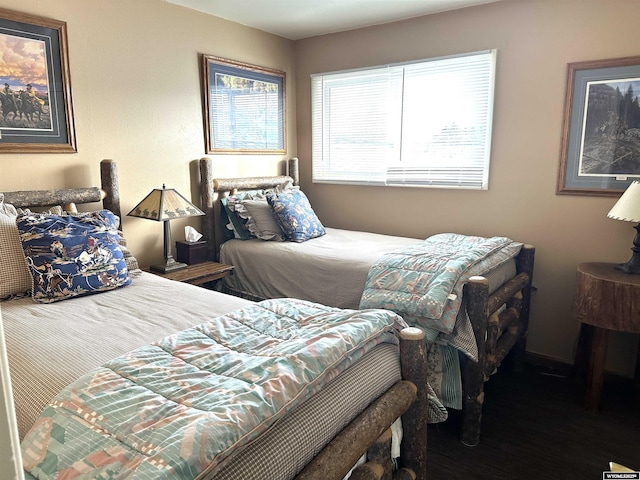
point(244, 107)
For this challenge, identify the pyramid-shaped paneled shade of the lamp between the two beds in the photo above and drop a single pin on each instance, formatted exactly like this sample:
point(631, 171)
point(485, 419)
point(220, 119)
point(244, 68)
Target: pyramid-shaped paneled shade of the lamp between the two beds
point(165, 204)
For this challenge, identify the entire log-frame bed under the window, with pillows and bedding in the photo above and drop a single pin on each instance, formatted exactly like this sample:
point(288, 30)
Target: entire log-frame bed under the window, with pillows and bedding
point(485, 313)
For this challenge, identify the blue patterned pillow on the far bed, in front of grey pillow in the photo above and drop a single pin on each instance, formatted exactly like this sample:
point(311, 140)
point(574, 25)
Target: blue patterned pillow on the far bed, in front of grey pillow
point(295, 216)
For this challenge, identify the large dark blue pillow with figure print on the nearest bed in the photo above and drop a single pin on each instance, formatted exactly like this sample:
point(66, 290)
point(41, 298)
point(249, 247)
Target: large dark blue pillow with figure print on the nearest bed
point(72, 255)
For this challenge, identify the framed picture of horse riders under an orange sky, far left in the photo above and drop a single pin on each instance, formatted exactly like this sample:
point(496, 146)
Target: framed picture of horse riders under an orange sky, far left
point(35, 89)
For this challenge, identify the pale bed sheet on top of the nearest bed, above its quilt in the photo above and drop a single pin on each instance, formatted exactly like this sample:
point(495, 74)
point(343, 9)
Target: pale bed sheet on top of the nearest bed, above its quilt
point(50, 345)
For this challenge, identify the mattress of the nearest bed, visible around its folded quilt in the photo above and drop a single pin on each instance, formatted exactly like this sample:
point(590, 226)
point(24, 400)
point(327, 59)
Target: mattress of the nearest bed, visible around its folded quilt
point(50, 345)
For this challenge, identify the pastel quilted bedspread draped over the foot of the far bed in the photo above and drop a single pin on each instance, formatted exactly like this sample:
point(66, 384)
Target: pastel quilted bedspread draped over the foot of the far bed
point(424, 284)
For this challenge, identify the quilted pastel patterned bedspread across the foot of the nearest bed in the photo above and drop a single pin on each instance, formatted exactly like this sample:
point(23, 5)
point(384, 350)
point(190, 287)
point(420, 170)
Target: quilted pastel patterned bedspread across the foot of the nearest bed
point(178, 407)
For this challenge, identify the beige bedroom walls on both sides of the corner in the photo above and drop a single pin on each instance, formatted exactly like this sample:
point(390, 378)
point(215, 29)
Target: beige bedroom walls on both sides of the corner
point(137, 99)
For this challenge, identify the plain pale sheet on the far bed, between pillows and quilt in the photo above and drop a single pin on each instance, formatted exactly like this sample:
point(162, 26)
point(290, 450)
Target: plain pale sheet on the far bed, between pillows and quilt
point(331, 269)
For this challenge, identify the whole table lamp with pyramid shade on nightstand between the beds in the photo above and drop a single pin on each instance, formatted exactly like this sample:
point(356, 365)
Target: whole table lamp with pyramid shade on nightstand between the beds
point(164, 205)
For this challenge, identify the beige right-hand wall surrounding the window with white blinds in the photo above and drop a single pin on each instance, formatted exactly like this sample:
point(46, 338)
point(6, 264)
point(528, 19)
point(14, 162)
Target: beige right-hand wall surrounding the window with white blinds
point(535, 40)
